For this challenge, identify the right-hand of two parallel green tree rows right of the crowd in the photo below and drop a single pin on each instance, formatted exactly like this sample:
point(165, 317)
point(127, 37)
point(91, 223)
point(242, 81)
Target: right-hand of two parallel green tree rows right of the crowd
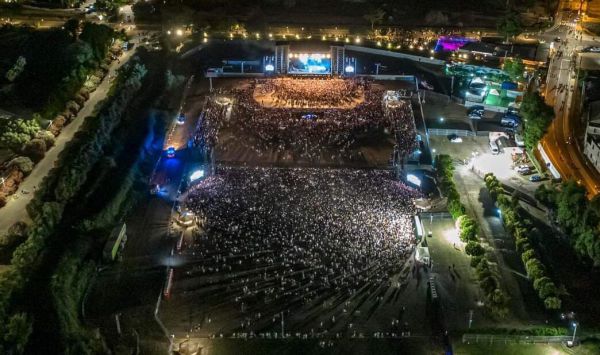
point(523, 230)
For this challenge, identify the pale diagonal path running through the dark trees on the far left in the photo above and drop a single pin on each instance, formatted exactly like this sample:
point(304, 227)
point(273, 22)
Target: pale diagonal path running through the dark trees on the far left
point(15, 209)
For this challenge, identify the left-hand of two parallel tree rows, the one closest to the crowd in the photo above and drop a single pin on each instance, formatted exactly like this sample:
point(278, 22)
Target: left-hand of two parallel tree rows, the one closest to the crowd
point(487, 274)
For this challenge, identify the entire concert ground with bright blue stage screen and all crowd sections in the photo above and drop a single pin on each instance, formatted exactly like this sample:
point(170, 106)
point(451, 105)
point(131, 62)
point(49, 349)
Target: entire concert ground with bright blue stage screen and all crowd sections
point(305, 227)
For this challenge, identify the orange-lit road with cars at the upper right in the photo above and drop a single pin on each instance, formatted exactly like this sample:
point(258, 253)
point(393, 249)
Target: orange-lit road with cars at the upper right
point(561, 142)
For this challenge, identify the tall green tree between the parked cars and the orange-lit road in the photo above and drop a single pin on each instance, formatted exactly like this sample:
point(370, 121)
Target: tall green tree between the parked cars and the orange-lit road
point(537, 116)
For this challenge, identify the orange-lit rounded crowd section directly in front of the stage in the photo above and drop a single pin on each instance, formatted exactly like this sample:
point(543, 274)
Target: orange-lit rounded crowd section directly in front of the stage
point(310, 92)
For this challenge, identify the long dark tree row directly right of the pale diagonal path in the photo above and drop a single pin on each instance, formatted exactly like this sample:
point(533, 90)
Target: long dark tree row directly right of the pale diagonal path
point(46, 209)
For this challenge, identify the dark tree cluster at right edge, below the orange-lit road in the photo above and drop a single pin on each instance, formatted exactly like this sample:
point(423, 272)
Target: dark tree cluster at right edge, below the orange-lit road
point(578, 217)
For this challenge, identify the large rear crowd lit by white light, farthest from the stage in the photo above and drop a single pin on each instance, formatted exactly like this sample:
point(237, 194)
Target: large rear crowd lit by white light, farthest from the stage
point(313, 244)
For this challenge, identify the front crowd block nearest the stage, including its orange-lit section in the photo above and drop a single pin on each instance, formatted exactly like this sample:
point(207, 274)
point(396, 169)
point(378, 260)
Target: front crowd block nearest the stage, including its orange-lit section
point(328, 134)
